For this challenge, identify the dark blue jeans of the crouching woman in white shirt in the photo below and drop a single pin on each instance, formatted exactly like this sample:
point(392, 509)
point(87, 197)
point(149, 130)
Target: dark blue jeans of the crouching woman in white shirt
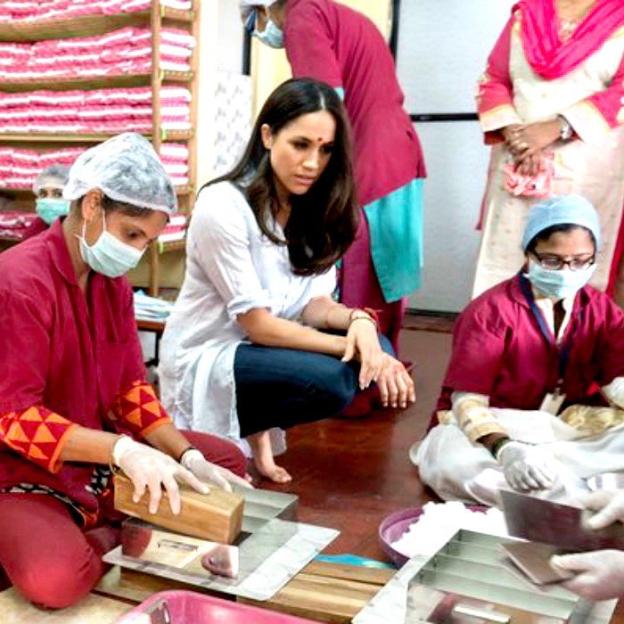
point(286, 387)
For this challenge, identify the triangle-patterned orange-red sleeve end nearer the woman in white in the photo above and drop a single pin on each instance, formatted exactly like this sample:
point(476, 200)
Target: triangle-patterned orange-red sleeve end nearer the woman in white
point(139, 409)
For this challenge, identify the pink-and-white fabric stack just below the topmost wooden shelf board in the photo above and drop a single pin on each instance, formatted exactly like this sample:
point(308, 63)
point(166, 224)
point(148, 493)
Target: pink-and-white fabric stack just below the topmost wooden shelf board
point(127, 51)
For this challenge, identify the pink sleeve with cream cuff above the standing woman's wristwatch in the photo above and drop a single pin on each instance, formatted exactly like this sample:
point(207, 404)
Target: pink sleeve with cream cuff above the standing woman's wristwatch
point(600, 112)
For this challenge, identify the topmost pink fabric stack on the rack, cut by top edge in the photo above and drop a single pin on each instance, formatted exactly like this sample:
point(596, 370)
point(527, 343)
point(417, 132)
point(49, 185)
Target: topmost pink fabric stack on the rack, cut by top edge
point(41, 10)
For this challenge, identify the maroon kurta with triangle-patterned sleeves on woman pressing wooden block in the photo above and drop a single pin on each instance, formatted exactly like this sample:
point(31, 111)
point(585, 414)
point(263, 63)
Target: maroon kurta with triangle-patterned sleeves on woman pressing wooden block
point(66, 357)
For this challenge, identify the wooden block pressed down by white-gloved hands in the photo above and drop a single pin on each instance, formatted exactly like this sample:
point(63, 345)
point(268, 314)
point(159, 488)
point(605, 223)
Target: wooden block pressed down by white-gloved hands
point(216, 516)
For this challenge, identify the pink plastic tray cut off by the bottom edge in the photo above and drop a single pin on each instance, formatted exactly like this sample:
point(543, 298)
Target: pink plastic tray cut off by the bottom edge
point(186, 607)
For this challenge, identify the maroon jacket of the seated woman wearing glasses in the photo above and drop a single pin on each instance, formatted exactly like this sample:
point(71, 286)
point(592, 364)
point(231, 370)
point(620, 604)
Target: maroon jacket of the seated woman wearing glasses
point(498, 350)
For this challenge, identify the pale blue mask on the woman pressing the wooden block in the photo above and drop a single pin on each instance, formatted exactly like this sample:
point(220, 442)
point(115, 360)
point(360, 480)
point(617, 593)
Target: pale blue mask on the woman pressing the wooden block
point(108, 255)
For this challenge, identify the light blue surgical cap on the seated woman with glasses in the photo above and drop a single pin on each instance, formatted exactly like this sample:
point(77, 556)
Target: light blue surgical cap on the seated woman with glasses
point(561, 210)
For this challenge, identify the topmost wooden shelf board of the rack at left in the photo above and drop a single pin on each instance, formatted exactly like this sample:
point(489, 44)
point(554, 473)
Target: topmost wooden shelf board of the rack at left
point(83, 26)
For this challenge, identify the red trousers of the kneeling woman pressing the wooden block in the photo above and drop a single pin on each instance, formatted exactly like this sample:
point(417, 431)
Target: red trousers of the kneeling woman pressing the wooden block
point(63, 564)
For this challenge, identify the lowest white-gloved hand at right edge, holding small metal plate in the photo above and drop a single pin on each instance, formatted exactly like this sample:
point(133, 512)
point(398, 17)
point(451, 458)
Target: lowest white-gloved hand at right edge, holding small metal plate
point(599, 574)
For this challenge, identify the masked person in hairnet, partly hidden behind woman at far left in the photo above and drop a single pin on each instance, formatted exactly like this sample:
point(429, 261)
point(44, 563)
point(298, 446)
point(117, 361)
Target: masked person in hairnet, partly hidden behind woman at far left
point(50, 203)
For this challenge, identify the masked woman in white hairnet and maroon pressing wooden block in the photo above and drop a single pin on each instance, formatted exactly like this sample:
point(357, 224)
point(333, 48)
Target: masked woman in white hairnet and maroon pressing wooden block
point(73, 395)
